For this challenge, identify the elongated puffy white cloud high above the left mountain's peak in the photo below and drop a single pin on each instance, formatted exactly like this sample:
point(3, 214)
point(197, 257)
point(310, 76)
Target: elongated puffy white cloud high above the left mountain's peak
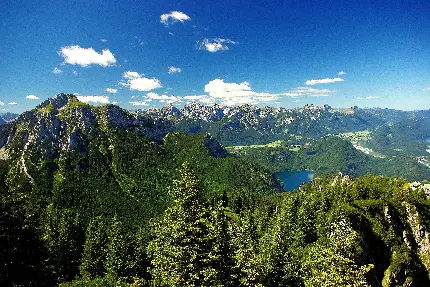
point(84, 57)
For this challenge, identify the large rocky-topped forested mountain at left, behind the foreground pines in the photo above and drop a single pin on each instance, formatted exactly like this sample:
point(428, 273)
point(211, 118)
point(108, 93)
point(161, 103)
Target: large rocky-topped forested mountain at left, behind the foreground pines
point(65, 163)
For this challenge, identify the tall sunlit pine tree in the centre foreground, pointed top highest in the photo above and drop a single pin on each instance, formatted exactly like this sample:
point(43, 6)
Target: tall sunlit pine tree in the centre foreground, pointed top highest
point(185, 249)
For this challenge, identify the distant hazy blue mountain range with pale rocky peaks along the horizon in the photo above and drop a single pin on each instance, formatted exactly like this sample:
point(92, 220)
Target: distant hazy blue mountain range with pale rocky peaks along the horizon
point(248, 124)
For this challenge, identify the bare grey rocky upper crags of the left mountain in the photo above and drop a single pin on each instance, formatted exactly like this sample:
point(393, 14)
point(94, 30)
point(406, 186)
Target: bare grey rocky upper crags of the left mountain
point(63, 124)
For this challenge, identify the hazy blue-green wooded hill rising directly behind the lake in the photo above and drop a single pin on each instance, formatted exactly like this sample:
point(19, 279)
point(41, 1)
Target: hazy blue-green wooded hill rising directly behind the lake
point(331, 155)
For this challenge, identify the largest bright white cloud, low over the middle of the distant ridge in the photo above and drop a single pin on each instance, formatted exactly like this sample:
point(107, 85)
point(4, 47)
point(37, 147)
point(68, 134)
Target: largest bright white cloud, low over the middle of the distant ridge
point(236, 94)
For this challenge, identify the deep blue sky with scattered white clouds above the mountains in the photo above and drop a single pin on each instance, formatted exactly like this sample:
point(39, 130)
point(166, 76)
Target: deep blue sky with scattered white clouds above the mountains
point(140, 54)
